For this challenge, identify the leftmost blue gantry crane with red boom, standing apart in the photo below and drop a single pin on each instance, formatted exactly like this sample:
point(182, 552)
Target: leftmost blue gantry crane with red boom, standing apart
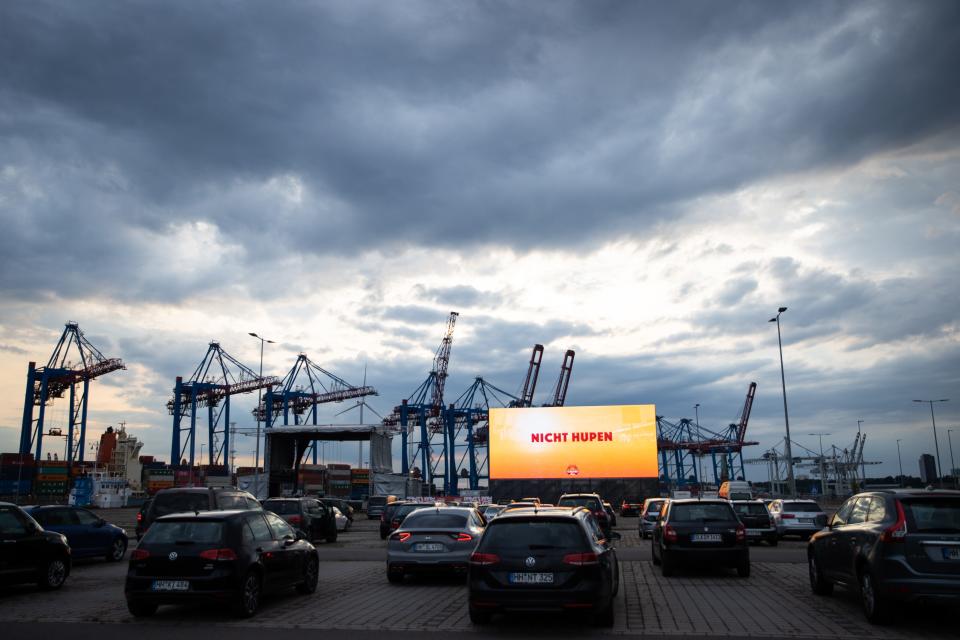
point(74, 361)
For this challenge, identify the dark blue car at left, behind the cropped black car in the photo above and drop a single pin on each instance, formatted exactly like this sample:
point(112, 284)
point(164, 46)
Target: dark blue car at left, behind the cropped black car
point(87, 533)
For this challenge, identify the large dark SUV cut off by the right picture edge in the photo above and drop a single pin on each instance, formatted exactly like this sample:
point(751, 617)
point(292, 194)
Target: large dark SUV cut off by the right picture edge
point(892, 546)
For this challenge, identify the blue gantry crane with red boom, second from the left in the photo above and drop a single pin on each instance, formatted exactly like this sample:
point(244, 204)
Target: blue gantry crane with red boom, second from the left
point(218, 377)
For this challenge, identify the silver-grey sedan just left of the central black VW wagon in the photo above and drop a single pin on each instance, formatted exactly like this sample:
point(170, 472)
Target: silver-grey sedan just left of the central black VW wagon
point(431, 540)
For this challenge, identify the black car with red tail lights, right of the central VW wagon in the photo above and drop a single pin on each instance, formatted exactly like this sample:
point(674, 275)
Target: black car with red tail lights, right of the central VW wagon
point(705, 532)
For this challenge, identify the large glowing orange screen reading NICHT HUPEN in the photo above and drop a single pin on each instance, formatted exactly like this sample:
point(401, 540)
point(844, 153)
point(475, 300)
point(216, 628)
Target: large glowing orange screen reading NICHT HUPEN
point(573, 442)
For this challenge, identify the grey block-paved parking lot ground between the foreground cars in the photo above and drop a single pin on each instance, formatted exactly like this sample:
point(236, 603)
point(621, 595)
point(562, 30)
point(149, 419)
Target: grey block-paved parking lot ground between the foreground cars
point(354, 596)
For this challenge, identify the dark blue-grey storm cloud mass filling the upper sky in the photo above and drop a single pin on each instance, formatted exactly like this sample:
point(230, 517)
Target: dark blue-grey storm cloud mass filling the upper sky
point(334, 127)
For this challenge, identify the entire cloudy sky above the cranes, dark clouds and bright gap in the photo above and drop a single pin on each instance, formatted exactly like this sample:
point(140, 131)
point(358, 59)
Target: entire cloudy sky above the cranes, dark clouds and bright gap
point(643, 182)
